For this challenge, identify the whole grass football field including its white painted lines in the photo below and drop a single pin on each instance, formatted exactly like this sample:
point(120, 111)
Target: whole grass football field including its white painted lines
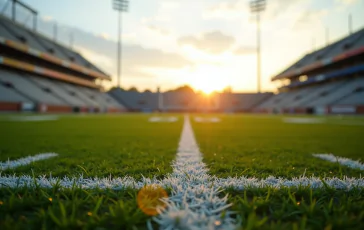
point(177, 171)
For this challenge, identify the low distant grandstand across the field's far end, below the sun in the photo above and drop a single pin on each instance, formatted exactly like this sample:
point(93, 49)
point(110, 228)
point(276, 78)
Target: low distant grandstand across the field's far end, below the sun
point(189, 101)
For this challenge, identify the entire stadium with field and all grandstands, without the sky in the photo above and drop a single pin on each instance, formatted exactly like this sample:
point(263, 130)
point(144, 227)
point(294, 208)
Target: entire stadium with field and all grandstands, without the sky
point(76, 154)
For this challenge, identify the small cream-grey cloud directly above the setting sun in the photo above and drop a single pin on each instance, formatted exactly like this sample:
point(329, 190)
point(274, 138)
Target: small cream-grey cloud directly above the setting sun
point(214, 42)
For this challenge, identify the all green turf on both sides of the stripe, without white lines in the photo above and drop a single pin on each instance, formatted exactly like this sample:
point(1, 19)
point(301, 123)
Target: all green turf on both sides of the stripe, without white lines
point(128, 145)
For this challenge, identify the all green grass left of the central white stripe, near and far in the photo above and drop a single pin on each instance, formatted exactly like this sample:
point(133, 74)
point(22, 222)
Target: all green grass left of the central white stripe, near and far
point(101, 146)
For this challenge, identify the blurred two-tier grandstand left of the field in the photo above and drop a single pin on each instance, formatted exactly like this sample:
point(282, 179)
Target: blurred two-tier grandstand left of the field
point(39, 74)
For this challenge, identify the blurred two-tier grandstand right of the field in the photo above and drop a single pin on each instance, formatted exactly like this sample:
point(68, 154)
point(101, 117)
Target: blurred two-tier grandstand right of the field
point(327, 81)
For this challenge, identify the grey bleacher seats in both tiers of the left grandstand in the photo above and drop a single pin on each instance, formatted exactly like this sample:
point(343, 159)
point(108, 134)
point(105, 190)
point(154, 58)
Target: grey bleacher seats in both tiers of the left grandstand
point(22, 85)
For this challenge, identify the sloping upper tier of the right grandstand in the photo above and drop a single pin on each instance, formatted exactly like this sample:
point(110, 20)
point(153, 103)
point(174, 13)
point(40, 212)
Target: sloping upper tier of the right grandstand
point(345, 48)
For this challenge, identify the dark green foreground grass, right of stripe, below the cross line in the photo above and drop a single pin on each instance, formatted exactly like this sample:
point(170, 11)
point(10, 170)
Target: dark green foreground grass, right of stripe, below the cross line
point(299, 209)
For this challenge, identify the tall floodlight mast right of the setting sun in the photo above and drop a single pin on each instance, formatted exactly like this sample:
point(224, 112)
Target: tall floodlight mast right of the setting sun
point(257, 6)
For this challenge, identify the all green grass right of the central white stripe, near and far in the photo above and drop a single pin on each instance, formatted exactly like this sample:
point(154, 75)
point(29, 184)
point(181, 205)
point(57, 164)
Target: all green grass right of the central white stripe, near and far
point(259, 146)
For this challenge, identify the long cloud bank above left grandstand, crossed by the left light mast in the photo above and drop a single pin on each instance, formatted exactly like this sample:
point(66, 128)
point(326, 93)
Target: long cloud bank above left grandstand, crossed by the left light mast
point(100, 49)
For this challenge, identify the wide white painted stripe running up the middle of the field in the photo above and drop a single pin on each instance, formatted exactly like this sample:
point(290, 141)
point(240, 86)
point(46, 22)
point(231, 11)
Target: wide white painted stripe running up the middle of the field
point(194, 202)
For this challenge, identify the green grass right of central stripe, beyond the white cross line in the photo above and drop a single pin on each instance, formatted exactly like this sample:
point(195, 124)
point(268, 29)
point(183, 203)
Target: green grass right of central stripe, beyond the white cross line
point(259, 146)
